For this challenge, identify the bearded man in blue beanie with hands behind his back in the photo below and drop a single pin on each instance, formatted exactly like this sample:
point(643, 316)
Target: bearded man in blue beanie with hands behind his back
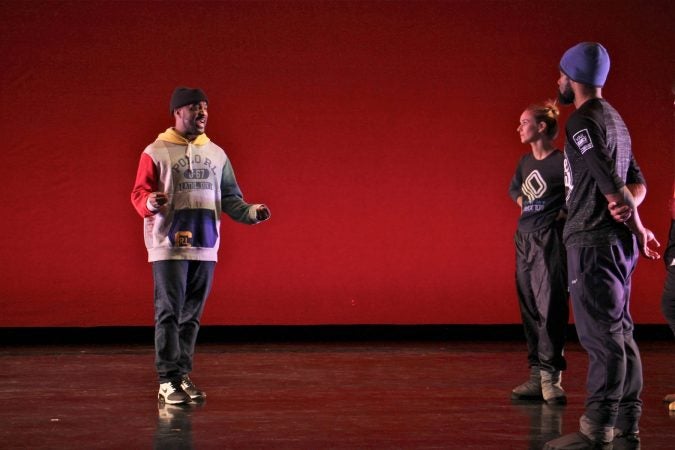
point(603, 235)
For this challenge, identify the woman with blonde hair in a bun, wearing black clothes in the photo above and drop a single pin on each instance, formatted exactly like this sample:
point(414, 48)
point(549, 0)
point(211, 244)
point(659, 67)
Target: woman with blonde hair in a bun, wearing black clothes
point(541, 267)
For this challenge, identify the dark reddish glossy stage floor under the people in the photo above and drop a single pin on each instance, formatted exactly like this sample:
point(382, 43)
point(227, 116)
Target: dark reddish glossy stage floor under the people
point(304, 395)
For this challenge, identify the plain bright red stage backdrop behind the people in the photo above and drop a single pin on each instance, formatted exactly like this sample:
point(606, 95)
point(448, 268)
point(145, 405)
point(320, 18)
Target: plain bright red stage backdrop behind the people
point(381, 134)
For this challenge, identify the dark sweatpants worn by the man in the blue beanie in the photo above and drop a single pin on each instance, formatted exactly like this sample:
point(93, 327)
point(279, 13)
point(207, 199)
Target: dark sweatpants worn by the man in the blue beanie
point(600, 283)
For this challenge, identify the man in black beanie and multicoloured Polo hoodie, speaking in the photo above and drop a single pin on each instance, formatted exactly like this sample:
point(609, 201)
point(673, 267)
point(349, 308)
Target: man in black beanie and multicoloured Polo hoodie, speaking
point(184, 182)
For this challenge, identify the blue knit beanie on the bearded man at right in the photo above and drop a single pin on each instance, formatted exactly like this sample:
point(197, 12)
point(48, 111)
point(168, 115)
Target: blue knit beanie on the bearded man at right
point(587, 63)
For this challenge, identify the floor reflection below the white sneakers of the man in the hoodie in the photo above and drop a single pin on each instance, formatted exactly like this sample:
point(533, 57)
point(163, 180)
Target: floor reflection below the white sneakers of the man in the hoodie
point(174, 426)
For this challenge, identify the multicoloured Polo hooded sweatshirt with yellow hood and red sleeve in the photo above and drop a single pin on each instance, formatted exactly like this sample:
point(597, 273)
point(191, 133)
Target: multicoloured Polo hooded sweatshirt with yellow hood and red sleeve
point(198, 178)
